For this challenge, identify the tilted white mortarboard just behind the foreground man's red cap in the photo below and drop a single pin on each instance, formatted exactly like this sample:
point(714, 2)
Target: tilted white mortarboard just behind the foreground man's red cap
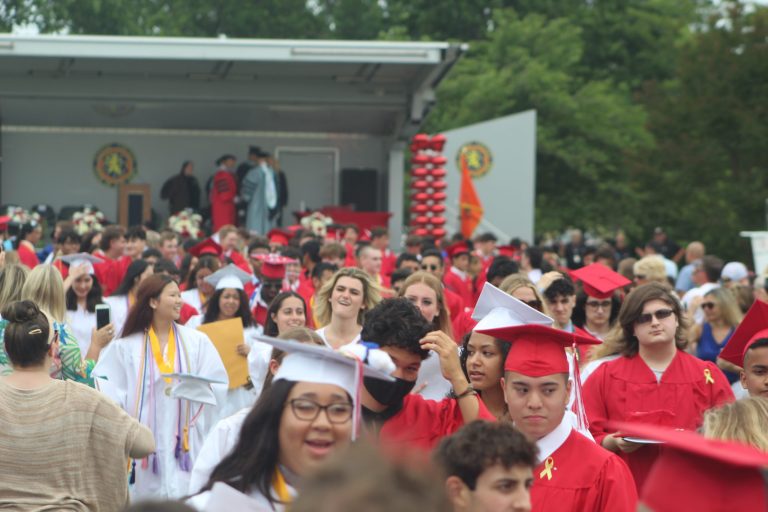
point(495, 309)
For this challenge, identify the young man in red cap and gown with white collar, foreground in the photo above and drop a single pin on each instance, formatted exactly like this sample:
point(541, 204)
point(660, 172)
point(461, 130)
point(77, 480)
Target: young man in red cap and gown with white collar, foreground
point(573, 473)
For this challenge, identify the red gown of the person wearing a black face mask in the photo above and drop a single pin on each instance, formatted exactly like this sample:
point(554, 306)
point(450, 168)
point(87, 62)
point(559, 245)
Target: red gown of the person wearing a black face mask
point(421, 423)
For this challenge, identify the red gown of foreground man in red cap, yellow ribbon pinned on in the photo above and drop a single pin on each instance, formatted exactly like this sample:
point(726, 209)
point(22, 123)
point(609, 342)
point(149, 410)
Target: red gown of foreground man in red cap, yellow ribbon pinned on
point(585, 478)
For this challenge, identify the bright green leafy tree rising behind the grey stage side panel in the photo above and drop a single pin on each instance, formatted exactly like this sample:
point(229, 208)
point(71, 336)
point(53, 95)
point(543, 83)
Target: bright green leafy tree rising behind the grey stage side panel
point(585, 127)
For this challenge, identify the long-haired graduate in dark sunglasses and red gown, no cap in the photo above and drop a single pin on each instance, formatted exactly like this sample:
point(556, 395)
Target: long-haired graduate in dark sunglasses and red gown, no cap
point(653, 381)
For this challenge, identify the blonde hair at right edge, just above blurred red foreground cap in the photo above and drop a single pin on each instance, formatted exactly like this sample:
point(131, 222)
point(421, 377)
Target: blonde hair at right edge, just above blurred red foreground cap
point(743, 420)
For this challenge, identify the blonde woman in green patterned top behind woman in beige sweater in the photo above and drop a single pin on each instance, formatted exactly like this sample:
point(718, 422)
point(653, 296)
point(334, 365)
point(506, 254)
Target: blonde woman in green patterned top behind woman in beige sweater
point(45, 288)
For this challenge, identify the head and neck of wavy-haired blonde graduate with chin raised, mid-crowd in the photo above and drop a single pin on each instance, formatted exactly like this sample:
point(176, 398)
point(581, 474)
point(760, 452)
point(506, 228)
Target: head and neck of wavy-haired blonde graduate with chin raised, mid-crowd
point(342, 303)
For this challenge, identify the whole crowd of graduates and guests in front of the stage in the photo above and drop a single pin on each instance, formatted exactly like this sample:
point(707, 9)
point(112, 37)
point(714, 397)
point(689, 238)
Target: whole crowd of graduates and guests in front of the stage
point(461, 375)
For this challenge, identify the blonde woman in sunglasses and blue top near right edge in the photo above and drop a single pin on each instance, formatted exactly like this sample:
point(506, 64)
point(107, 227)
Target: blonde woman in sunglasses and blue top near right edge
point(721, 317)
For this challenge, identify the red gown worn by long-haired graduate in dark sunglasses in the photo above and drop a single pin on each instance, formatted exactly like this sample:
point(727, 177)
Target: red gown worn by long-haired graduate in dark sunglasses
point(626, 389)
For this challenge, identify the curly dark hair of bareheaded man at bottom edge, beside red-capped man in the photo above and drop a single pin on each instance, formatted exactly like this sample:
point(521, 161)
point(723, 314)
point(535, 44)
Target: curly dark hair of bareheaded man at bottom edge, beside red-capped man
point(480, 445)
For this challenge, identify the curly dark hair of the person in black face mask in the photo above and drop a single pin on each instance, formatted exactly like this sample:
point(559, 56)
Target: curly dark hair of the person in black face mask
point(396, 323)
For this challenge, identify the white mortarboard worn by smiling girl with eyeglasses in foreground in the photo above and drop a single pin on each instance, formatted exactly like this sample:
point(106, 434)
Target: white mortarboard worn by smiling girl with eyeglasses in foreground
point(322, 365)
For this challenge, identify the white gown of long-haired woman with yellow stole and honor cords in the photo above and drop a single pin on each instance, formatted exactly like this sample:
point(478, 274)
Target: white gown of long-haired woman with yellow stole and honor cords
point(117, 375)
